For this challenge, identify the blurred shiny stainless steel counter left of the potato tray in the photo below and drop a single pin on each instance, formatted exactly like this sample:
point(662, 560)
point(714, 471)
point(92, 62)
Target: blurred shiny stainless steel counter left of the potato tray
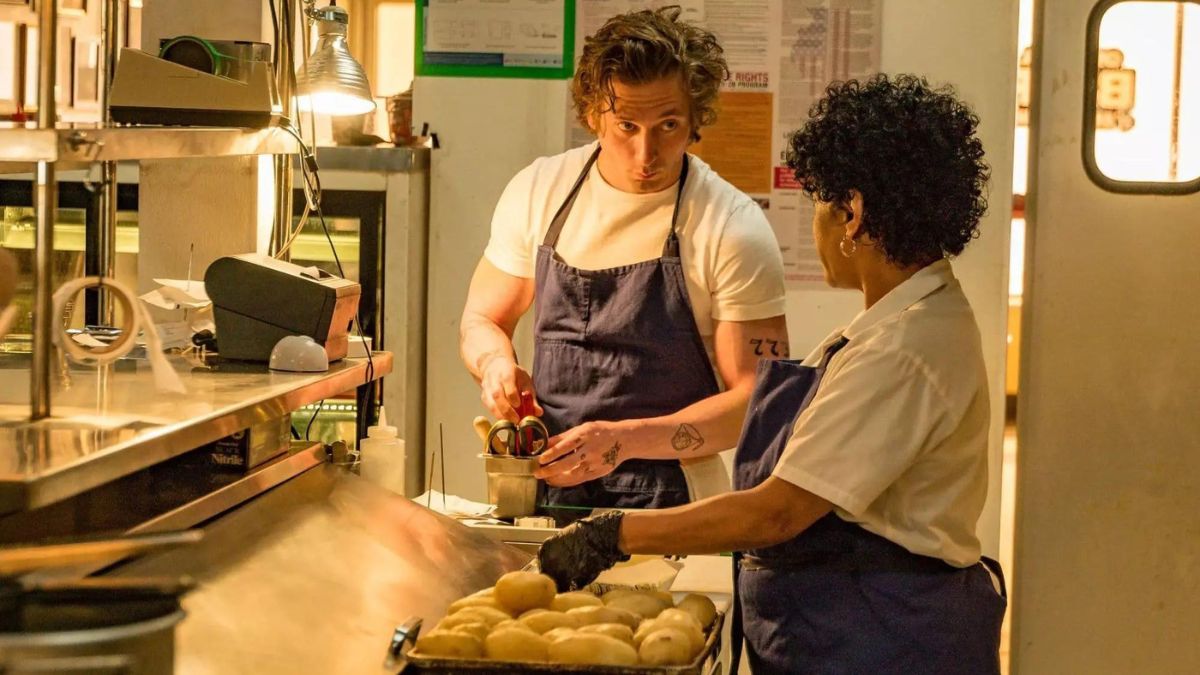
point(314, 576)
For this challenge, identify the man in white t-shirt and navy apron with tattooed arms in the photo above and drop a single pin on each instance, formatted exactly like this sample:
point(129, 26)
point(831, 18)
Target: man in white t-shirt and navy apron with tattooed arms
point(646, 271)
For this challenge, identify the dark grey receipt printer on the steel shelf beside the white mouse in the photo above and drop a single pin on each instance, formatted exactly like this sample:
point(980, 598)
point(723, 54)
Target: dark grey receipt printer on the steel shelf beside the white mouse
point(259, 301)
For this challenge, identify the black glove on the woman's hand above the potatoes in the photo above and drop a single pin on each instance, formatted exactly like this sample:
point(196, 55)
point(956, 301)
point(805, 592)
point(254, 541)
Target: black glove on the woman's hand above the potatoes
point(579, 554)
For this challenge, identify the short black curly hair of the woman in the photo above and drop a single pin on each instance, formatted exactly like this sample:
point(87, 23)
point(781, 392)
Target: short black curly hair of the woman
point(910, 151)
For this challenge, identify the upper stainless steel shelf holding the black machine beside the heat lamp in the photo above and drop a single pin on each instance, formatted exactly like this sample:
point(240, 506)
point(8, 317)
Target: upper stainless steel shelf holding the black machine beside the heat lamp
point(101, 145)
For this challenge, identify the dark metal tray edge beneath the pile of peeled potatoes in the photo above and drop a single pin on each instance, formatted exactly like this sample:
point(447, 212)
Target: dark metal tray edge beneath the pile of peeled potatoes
point(709, 662)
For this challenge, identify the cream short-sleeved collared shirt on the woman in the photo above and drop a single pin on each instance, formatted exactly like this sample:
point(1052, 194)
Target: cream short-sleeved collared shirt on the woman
point(897, 435)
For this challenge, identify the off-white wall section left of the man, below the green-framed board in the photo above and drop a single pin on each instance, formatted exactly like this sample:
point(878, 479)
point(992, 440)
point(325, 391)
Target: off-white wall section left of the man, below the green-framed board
point(490, 130)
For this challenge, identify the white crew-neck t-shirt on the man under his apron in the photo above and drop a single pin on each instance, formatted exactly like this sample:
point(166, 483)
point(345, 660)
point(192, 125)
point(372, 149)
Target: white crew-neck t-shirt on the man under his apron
point(731, 260)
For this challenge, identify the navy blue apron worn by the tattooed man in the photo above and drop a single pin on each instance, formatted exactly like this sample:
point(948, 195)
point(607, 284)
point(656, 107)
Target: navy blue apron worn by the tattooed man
point(617, 344)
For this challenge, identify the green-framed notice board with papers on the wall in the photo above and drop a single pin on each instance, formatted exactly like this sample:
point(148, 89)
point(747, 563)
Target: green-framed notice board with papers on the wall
point(518, 39)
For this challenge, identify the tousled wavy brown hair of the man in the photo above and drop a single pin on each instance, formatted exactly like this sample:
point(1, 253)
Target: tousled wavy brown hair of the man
point(645, 46)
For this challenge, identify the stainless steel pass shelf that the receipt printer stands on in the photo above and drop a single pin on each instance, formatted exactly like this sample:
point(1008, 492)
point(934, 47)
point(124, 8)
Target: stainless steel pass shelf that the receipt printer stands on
point(107, 426)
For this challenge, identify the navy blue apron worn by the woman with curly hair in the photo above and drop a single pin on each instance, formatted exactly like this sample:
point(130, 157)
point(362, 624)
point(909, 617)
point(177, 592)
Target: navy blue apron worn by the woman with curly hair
point(838, 599)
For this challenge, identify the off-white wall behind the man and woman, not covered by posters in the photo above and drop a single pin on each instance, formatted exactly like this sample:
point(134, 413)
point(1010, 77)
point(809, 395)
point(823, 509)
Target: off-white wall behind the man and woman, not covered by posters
point(493, 129)
